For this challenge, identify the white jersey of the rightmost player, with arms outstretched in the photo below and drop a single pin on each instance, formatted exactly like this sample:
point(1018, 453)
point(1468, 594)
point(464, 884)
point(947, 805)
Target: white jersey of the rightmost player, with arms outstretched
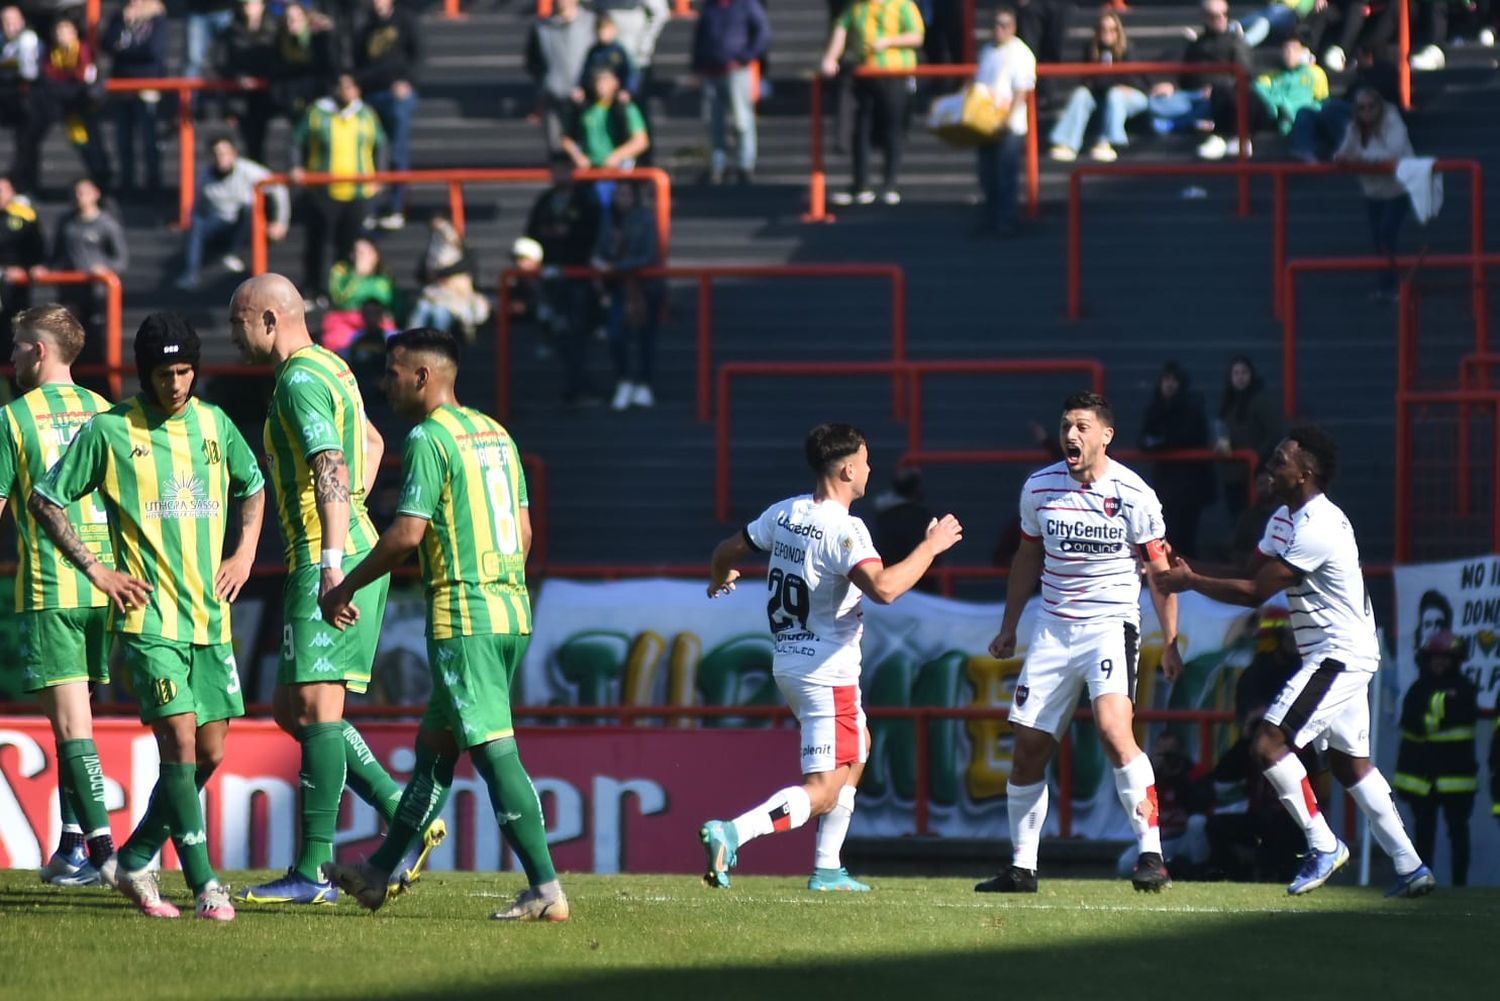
point(1331, 613)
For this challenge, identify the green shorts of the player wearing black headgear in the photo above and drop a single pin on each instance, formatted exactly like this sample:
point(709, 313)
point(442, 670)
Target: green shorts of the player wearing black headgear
point(181, 678)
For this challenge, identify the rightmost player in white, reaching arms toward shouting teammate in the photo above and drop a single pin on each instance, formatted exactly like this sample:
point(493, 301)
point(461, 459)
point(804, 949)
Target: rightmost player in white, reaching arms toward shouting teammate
point(1310, 553)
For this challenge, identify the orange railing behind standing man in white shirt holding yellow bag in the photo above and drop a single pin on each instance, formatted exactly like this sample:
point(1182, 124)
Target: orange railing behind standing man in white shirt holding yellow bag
point(818, 178)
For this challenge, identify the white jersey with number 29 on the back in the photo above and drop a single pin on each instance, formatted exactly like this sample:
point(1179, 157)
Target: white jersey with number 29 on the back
point(812, 604)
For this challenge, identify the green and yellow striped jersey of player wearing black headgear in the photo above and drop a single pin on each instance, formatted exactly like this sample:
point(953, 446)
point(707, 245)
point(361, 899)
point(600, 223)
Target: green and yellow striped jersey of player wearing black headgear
point(167, 484)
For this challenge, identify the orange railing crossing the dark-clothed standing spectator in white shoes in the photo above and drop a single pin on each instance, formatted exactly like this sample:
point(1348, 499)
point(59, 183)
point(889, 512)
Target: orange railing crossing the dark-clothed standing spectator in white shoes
point(706, 275)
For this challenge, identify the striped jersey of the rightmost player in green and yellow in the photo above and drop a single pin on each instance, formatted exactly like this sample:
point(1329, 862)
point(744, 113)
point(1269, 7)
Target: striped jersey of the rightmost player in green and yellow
point(463, 475)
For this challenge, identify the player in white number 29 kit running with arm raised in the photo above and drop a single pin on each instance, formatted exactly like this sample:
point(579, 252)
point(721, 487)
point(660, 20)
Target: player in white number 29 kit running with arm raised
point(821, 562)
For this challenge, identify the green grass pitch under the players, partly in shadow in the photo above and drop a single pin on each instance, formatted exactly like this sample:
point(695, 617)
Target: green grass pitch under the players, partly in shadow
point(670, 937)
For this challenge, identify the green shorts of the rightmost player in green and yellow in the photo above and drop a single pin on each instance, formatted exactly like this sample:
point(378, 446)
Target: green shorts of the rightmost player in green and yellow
point(472, 687)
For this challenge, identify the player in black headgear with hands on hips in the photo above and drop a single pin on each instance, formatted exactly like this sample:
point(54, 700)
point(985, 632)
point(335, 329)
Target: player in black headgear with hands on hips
point(166, 466)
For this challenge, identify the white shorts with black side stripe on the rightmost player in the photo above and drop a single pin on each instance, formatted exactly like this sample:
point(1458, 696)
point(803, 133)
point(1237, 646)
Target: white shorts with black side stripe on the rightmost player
point(1328, 703)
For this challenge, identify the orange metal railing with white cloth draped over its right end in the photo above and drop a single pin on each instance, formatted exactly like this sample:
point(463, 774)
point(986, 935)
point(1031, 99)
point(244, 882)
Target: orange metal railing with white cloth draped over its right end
point(1279, 175)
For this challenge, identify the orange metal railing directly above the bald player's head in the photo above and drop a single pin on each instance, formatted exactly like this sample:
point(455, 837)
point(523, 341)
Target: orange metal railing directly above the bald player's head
point(455, 179)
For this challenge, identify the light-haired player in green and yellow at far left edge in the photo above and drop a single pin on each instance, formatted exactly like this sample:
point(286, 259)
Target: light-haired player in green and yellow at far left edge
point(62, 619)
